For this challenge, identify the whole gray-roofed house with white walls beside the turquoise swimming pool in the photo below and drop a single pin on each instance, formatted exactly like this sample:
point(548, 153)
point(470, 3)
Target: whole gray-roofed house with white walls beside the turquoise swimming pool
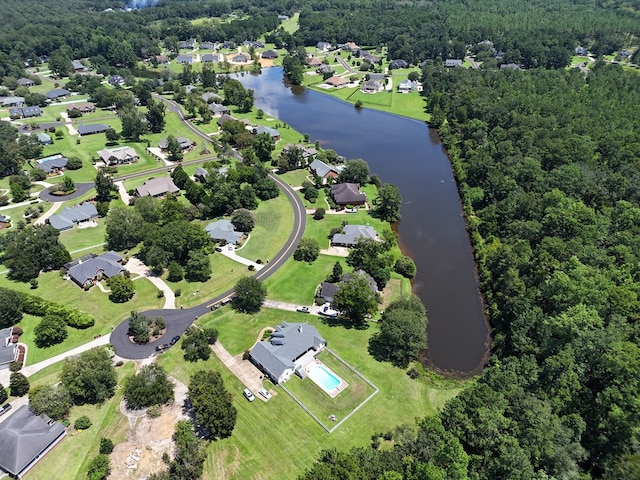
point(291, 348)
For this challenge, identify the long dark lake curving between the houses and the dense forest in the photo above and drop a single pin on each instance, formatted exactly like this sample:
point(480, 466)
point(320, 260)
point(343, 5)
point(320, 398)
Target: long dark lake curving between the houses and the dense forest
point(432, 231)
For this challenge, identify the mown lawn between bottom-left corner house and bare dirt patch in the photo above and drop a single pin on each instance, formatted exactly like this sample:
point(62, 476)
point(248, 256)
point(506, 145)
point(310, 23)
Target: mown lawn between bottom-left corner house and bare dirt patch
point(71, 458)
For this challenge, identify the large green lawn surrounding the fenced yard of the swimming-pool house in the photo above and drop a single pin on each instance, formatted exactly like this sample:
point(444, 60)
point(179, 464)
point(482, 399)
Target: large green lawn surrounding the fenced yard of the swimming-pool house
point(297, 436)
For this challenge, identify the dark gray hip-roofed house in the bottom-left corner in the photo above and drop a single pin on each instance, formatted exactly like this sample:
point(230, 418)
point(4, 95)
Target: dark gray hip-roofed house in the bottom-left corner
point(25, 438)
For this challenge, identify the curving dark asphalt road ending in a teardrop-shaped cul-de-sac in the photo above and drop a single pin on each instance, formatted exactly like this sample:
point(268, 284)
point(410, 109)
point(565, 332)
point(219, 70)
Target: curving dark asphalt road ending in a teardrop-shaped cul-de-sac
point(179, 320)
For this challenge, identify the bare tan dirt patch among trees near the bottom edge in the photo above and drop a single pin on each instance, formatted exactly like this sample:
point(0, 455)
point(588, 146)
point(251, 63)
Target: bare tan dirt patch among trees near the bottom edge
point(140, 454)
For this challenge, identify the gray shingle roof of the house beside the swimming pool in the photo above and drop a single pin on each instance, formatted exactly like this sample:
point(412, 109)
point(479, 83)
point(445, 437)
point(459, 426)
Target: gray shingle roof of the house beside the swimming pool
point(288, 342)
